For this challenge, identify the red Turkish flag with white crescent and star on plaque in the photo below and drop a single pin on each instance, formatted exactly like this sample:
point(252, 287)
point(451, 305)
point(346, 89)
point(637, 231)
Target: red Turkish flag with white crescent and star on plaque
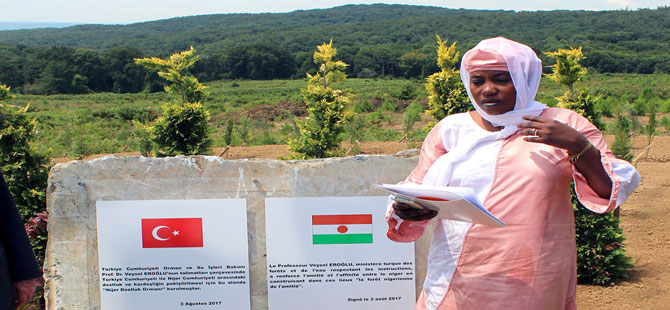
point(172, 233)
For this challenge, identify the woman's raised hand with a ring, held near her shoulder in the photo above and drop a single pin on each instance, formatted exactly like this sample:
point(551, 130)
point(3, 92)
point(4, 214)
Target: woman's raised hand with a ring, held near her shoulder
point(554, 133)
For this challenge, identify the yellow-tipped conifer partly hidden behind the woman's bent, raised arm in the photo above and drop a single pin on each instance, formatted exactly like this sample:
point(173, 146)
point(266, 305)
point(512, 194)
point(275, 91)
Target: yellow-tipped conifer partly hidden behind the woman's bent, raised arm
point(601, 257)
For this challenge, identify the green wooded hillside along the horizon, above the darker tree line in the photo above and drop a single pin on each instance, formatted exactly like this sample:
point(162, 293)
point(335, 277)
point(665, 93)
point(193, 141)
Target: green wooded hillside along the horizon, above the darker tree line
point(400, 25)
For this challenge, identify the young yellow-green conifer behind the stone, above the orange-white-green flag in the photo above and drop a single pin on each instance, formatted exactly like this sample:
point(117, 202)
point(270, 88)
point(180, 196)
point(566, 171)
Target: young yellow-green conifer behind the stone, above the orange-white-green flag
point(327, 116)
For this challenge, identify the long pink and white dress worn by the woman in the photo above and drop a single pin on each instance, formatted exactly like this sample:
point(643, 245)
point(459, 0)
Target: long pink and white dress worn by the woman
point(531, 262)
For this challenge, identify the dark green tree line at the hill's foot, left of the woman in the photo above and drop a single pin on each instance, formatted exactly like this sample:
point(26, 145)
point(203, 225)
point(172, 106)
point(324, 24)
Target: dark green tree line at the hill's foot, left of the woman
point(67, 70)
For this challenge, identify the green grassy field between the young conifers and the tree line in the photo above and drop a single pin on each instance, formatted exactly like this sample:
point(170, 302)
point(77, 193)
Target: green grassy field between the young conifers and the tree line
point(263, 112)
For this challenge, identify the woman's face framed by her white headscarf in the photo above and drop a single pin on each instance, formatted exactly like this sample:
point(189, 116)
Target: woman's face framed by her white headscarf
point(493, 91)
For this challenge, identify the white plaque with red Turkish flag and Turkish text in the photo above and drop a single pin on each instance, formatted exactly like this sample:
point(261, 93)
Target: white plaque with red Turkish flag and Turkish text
point(173, 254)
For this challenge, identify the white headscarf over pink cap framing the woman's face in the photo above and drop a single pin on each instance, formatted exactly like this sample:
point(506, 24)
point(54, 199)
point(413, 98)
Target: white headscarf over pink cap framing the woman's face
point(524, 67)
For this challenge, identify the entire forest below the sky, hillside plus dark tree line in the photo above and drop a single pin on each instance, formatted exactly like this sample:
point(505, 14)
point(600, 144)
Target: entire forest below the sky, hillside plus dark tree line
point(390, 41)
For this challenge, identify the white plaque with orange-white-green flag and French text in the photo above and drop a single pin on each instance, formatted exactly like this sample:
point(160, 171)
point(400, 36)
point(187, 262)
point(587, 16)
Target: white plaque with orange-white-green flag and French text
point(332, 253)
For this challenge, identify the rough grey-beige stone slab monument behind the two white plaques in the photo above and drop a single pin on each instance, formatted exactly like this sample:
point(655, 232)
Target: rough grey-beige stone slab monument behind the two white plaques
point(71, 263)
